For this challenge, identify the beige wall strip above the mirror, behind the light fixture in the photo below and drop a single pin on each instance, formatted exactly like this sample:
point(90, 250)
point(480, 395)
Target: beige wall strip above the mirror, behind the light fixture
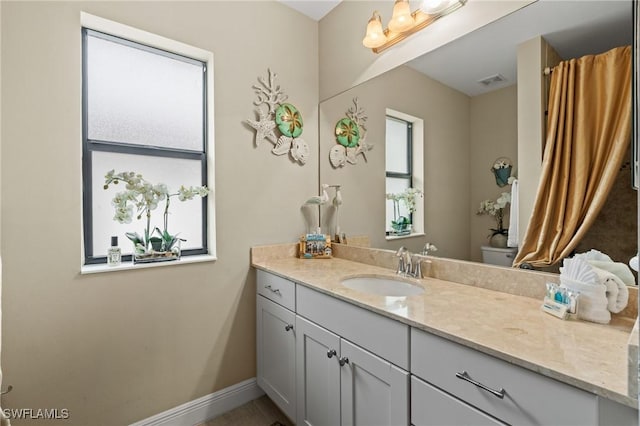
point(344, 62)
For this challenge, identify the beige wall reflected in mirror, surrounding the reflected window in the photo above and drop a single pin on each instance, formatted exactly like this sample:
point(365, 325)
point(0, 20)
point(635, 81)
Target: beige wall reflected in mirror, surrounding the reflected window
point(445, 112)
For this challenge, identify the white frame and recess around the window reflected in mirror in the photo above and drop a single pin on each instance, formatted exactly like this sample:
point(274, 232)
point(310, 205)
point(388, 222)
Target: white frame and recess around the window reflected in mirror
point(417, 171)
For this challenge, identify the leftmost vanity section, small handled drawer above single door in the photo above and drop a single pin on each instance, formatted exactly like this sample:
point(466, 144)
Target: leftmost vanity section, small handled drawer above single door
point(276, 341)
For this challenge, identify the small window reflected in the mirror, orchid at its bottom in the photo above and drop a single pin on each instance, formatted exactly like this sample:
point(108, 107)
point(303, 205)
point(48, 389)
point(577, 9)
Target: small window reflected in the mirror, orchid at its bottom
point(404, 169)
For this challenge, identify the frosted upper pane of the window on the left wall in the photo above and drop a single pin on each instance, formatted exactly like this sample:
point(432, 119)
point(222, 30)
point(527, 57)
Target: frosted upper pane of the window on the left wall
point(140, 97)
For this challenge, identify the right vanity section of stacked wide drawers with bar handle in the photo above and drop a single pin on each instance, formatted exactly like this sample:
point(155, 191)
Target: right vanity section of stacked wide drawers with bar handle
point(472, 385)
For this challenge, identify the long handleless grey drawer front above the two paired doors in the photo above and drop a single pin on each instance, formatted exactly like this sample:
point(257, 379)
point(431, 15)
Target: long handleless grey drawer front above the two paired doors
point(387, 338)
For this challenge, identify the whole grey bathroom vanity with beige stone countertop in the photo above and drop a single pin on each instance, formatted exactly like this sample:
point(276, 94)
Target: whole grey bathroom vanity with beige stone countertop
point(455, 354)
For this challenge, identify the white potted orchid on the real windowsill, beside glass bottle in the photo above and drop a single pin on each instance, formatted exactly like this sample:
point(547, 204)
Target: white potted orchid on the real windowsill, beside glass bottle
point(143, 197)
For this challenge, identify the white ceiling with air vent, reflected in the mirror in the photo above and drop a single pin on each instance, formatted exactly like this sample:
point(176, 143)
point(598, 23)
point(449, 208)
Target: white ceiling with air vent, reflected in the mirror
point(573, 28)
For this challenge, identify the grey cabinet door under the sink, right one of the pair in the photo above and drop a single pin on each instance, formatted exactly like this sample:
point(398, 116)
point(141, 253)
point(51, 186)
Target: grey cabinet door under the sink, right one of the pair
point(374, 392)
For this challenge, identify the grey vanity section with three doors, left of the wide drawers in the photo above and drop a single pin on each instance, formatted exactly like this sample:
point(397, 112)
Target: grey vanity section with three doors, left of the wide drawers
point(332, 363)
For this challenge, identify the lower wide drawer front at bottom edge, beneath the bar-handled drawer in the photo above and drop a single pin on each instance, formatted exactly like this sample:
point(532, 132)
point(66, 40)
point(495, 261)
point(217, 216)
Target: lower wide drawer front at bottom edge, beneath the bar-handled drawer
point(432, 407)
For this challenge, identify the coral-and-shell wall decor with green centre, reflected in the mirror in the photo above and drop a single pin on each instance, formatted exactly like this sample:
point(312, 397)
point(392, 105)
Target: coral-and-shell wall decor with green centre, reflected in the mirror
point(351, 136)
